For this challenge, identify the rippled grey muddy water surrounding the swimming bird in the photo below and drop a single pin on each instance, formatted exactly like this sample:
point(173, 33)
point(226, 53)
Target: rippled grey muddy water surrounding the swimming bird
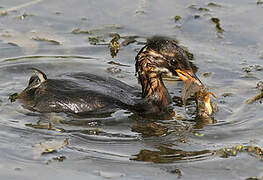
point(73, 36)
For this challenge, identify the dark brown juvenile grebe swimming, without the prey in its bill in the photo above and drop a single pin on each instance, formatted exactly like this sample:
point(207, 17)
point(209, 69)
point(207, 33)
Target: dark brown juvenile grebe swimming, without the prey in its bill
point(82, 93)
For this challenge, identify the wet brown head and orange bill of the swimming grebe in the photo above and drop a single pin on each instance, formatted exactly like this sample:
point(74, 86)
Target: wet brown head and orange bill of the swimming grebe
point(164, 57)
